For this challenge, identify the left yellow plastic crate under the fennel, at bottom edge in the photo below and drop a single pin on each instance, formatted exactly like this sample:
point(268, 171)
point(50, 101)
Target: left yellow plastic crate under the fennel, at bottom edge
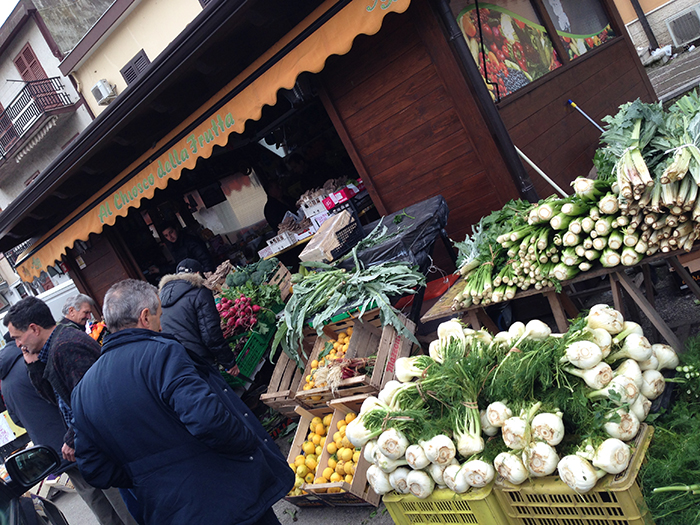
point(444, 506)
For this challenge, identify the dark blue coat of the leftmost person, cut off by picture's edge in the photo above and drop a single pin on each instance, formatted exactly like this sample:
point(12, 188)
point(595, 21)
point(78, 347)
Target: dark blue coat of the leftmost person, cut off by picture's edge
point(42, 420)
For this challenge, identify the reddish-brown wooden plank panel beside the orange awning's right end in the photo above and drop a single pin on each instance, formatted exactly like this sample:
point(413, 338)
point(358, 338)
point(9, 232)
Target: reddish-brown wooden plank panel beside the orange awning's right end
point(410, 124)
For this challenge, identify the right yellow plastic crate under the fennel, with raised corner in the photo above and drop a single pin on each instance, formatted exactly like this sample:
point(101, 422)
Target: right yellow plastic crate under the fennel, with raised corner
point(616, 500)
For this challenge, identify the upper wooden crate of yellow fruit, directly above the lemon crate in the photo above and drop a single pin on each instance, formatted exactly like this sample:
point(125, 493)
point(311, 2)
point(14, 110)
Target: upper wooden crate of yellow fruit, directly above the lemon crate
point(366, 340)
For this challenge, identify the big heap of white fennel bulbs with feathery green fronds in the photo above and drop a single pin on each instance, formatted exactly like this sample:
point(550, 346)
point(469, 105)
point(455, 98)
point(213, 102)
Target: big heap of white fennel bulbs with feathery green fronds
point(523, 404)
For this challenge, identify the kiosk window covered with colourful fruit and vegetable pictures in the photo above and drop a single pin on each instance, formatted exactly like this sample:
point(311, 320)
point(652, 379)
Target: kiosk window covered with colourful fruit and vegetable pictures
point(510, 42)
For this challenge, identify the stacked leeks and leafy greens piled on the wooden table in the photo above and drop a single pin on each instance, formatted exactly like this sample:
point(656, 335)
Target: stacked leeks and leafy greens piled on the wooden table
point(643, 202)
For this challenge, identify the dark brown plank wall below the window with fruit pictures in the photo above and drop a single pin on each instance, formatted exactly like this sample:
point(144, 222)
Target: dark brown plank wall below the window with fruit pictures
point(553, 134)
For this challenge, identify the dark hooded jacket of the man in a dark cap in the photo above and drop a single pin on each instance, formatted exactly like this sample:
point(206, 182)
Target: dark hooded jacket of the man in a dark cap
point(190, 314)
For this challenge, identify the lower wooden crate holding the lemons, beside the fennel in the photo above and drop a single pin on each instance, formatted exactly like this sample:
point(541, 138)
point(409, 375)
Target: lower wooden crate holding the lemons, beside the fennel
point(357, 493)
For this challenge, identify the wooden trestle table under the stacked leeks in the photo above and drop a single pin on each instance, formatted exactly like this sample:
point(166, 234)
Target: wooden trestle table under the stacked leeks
point(561, 304)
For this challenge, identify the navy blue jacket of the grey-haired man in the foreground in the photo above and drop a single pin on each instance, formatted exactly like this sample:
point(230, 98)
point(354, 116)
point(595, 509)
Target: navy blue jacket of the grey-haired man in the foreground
point(149, 417)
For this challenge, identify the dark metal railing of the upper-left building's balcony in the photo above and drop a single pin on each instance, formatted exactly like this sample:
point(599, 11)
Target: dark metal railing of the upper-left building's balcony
point(36, 99)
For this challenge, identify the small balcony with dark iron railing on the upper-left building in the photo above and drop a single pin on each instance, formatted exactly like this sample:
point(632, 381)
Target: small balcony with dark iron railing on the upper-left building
point(31, 112)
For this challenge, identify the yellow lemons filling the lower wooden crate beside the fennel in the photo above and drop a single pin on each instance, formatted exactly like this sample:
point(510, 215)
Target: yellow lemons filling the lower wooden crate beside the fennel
point(342, 456)
